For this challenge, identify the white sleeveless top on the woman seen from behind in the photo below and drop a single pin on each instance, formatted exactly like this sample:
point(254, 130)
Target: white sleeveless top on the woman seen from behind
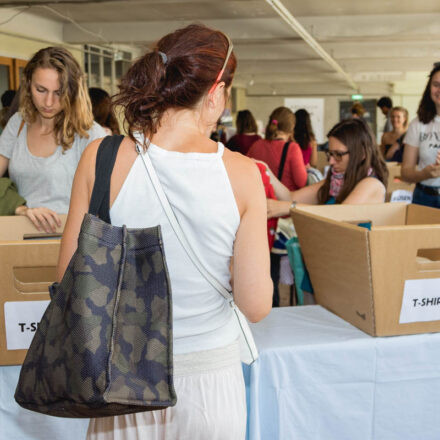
point(200, 193)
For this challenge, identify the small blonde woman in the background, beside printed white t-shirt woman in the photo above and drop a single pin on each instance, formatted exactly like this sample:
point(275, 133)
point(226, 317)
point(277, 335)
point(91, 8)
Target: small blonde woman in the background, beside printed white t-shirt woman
point(392, 141)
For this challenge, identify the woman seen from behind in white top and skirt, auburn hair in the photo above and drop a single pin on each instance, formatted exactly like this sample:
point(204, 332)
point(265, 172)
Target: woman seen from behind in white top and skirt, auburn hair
point(173, 97)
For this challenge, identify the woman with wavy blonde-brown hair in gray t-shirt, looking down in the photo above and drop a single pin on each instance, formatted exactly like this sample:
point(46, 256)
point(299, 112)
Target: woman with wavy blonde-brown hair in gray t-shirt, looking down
point(42, 143)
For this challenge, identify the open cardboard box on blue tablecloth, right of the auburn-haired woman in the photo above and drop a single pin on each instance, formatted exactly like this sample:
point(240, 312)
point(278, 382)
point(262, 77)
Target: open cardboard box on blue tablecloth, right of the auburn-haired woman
point(365, 276)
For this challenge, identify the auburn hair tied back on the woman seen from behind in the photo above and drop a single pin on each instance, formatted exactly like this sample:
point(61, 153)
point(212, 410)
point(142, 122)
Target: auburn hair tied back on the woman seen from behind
point(178, 71)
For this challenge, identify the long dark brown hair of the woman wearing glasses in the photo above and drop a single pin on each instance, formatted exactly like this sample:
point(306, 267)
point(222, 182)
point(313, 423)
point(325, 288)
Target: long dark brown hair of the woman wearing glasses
point(364, 155)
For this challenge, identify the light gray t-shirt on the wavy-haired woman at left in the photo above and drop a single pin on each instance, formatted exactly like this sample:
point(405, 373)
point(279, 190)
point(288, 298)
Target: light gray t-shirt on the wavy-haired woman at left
point(43, 181)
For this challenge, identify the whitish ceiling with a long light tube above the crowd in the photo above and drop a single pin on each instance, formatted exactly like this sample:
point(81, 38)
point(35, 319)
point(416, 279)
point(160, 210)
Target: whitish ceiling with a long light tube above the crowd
point(371, 46)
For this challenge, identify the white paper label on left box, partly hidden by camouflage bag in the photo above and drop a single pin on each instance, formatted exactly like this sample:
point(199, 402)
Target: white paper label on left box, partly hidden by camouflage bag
point(21, 321)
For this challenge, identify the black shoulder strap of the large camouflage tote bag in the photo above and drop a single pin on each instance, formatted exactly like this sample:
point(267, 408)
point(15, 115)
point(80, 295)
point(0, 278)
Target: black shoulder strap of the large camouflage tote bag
point(105, 161)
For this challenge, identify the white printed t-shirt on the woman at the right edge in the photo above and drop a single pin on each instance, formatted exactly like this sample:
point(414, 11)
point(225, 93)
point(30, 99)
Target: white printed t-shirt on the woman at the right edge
point(426, 137)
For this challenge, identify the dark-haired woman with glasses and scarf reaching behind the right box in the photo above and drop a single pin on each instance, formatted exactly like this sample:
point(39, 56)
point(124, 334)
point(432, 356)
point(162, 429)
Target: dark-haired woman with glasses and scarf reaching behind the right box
point(357, 174)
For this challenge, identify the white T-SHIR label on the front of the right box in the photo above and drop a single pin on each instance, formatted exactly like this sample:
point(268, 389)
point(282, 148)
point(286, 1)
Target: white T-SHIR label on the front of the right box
point(421, 301)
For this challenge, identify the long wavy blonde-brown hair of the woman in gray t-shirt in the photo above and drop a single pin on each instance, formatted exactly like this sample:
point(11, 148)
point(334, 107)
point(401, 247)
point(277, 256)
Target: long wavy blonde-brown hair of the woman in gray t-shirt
point(76, 115)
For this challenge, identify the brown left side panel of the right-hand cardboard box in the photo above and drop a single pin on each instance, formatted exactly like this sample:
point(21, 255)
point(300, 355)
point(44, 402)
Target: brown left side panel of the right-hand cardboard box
point(337, 257)
